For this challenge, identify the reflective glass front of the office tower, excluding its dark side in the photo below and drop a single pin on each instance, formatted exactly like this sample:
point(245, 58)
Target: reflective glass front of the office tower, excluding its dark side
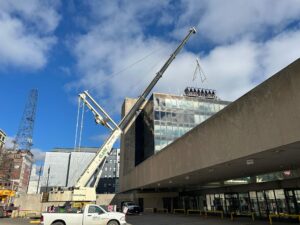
point(176, 115)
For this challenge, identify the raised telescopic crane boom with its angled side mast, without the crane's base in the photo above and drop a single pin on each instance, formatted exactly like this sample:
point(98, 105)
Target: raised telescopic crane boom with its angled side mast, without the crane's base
point(82, 191)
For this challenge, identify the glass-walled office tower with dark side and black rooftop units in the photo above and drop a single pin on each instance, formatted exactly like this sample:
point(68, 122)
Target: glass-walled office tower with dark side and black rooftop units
point(167, 117)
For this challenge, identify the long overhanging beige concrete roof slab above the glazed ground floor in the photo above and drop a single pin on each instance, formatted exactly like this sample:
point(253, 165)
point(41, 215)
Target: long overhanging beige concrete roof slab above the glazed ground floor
point(263, 125)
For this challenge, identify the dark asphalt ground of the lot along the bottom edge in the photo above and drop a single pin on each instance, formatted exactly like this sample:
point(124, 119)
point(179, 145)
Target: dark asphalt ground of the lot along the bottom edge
point(170, 219)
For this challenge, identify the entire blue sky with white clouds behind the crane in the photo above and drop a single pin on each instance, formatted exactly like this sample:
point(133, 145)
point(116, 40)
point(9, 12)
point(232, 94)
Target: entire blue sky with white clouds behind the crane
point(64, 47)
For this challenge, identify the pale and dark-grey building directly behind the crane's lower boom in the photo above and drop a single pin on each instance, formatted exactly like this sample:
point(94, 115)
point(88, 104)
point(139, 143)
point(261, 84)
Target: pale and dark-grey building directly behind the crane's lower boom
point(63, 167)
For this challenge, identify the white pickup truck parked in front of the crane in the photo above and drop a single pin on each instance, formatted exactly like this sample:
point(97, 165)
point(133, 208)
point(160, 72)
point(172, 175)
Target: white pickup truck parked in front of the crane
point(91, 215)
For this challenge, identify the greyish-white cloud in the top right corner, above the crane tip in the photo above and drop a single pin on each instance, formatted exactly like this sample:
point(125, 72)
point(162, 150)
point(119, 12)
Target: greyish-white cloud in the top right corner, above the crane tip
point(222, 21)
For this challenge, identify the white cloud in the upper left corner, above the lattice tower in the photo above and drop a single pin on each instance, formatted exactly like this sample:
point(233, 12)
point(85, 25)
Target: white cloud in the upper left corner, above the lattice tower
point(26, 32)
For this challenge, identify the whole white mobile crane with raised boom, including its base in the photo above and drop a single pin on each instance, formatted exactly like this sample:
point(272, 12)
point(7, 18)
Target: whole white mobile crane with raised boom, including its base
point(85, 187)
